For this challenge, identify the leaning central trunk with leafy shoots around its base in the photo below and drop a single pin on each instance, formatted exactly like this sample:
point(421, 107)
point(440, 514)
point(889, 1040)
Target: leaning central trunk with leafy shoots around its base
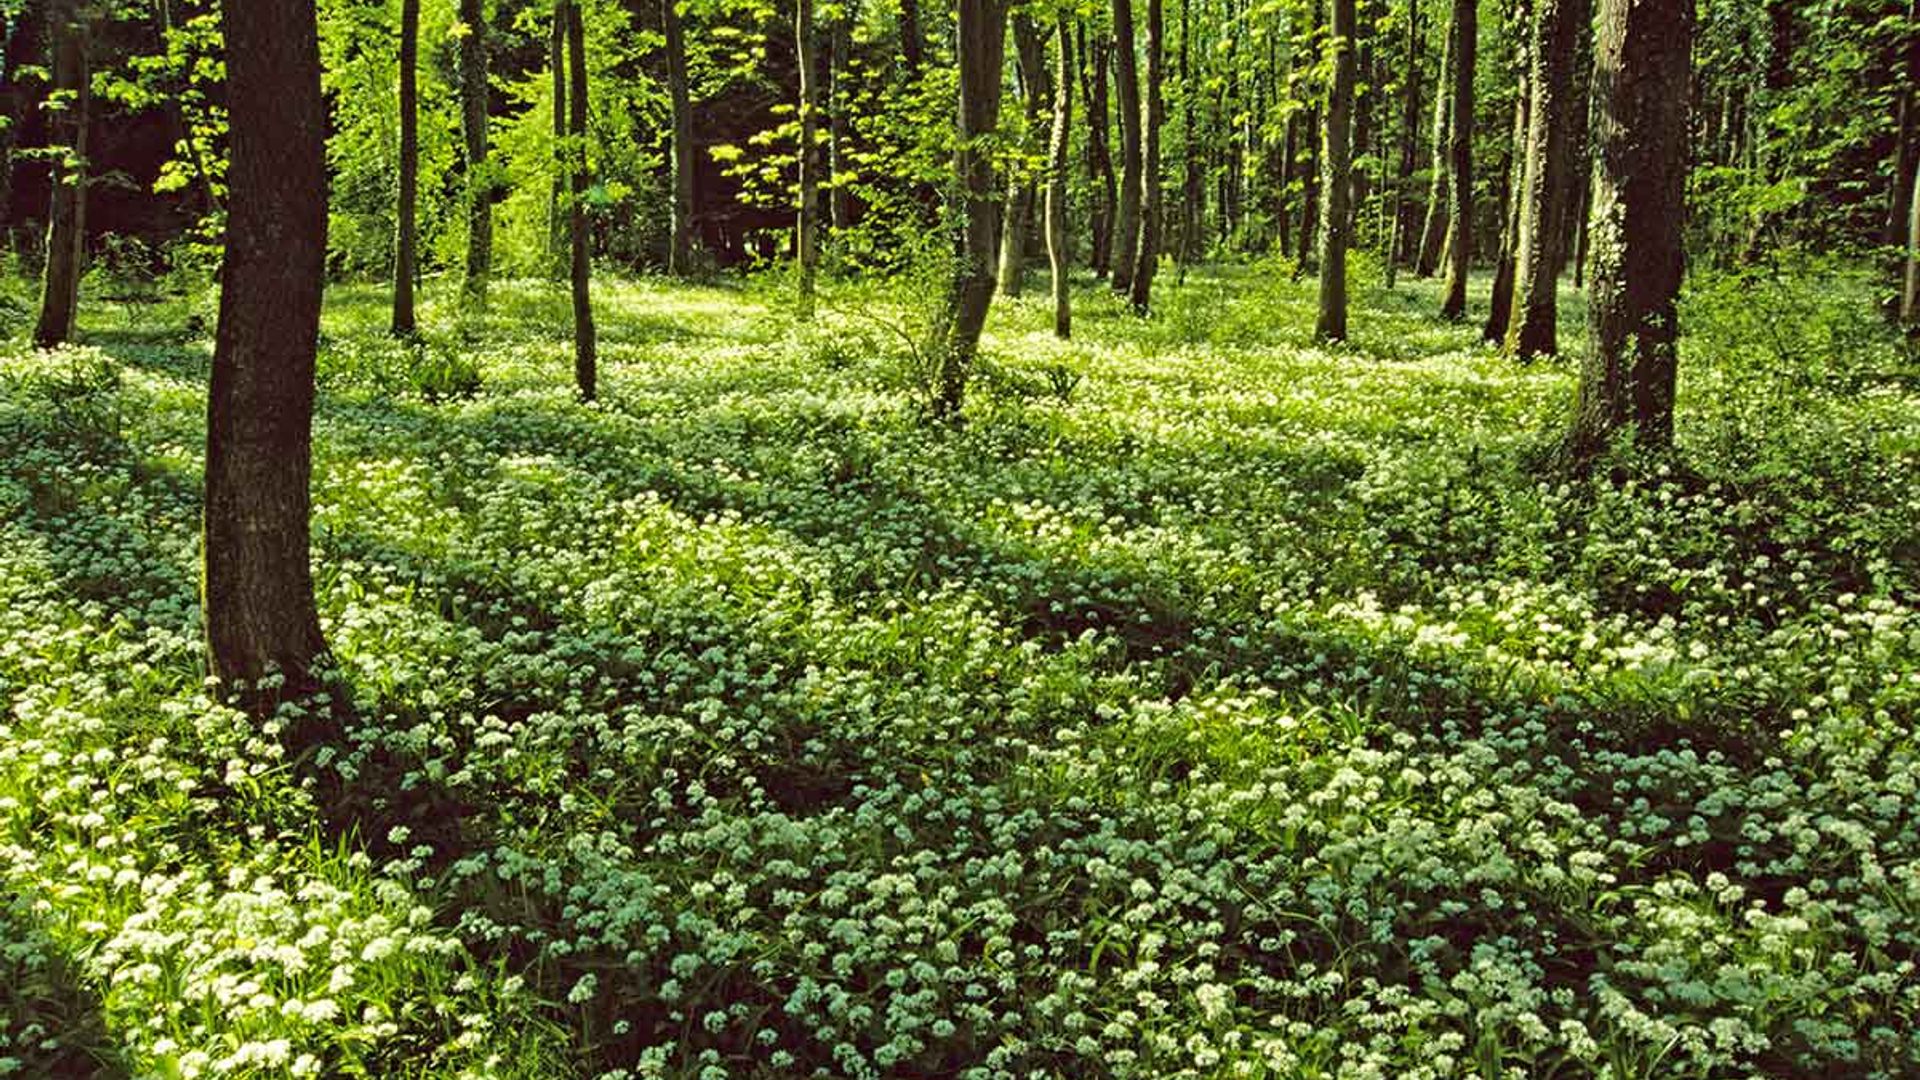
point(982, 53)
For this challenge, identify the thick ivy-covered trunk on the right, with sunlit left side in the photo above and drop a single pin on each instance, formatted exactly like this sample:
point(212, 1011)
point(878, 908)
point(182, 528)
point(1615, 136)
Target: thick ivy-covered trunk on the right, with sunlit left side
point(1641, 89)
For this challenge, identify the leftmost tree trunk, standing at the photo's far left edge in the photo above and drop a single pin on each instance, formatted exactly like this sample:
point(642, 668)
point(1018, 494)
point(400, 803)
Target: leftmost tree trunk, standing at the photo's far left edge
point(66, 222)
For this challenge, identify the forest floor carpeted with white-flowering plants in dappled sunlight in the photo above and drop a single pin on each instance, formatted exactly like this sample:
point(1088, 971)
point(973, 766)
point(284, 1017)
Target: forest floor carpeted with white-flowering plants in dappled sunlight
point(1212, 704)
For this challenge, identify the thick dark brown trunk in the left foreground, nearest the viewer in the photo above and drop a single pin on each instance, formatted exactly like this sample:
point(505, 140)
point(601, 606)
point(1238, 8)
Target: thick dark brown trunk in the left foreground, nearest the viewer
point(258, 581)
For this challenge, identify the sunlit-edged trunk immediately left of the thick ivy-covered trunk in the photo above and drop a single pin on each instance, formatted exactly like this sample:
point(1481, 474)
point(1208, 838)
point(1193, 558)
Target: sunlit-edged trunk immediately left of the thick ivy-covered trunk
point(1550, 180)
